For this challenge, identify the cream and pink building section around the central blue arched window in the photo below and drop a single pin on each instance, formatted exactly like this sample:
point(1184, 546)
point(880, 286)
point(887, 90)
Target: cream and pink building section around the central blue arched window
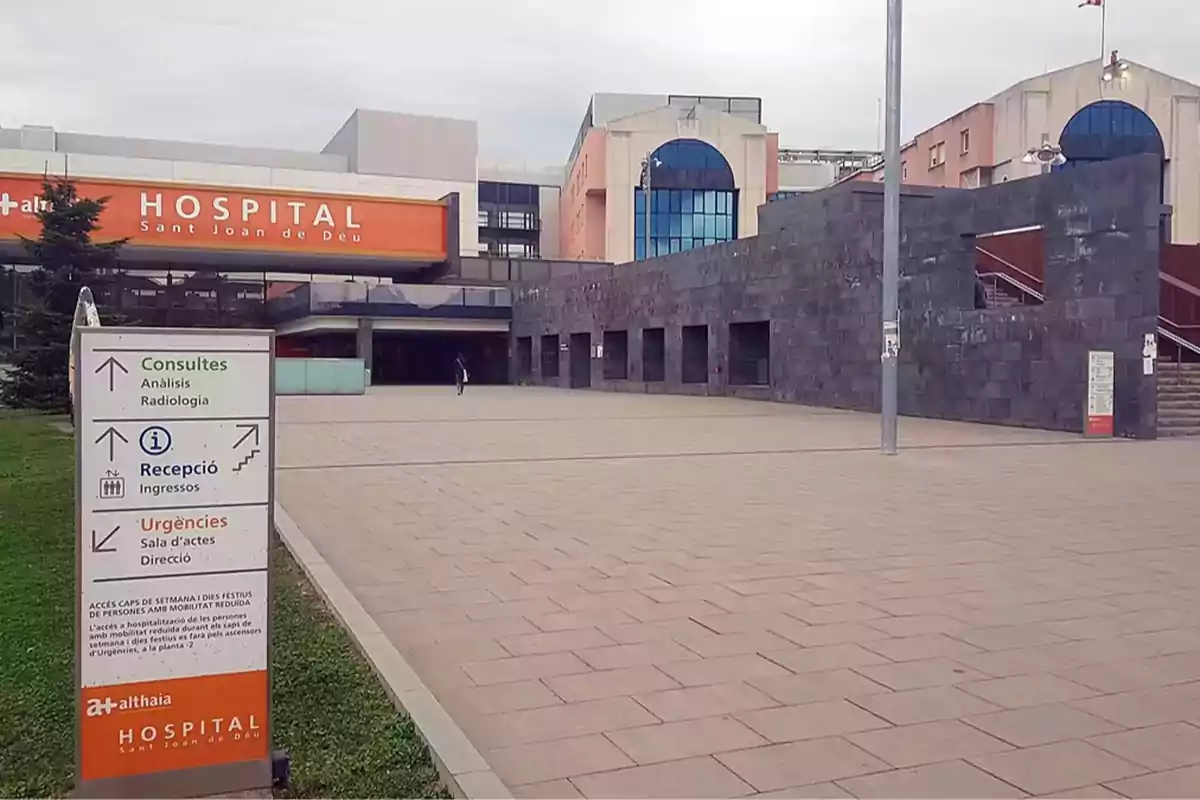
point(711, 165)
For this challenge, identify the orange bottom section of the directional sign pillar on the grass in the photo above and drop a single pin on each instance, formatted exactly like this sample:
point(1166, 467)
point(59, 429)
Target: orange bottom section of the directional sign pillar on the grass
point(173, 725)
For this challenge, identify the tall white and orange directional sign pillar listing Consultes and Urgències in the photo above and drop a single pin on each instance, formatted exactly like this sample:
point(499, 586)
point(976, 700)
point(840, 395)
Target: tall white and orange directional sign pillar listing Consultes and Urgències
point(175, 496)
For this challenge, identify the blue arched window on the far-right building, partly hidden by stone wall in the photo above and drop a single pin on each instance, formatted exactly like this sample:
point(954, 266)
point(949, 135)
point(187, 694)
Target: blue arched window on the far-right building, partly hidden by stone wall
point(1106, 130)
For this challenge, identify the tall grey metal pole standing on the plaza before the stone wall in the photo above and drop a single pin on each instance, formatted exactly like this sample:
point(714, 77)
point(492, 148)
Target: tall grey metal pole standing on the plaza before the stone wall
point(890, 380)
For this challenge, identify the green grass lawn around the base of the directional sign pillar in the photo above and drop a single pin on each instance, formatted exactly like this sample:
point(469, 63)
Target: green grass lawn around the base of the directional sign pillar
point(345, 737)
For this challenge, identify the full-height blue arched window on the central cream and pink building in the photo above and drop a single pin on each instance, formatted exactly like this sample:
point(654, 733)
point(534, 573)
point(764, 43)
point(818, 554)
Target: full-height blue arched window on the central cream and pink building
point(693, 202)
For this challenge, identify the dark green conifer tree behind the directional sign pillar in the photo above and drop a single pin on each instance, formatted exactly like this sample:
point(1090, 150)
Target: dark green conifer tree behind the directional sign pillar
point(67, 260)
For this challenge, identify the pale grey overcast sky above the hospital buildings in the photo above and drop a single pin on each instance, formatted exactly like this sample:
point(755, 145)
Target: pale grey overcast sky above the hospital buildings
point(287, 74)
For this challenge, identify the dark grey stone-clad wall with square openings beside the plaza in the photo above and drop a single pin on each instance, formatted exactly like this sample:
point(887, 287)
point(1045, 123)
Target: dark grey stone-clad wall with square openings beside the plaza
point(815, 275)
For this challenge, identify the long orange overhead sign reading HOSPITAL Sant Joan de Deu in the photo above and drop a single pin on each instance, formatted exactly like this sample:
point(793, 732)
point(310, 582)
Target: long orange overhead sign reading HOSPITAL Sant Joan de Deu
point(206, 218)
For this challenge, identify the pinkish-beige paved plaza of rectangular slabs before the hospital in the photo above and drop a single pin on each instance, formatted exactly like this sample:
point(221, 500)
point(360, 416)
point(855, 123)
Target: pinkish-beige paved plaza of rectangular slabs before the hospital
point(639, 597)
